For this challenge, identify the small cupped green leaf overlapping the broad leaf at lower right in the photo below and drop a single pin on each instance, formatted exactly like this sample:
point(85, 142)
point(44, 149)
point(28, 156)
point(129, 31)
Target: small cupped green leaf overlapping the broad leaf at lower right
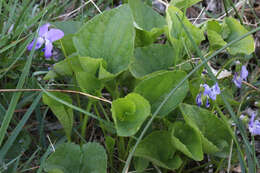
point(187, 140)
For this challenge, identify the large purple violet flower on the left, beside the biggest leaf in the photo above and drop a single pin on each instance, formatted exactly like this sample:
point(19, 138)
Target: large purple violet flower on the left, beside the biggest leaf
point(47, 37)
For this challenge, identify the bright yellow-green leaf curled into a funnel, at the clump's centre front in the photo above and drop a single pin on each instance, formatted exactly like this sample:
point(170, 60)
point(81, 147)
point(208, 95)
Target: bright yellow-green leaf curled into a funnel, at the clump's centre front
point(129, 113)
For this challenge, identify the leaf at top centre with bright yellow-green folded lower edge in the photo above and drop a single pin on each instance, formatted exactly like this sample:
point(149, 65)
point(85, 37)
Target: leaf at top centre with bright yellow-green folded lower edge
point(149, 24)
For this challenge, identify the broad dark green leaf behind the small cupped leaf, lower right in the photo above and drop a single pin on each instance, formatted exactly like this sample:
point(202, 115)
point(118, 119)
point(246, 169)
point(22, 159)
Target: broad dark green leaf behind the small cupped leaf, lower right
point(215, 135)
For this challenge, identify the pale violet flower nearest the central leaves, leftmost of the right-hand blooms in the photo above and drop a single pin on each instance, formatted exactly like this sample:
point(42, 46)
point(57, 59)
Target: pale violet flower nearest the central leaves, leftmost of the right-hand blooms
point(209, 92)
